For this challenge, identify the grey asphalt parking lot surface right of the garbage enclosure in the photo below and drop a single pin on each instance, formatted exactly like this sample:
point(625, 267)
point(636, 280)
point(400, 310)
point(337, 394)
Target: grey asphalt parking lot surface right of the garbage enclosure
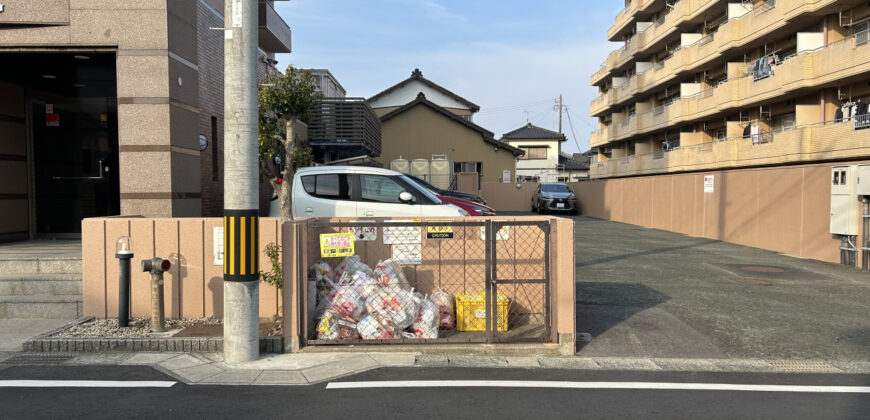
point(651, 293)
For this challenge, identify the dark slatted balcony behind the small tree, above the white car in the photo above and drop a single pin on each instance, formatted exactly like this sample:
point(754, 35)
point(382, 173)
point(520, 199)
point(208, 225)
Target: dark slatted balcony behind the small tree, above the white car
point(347, 127)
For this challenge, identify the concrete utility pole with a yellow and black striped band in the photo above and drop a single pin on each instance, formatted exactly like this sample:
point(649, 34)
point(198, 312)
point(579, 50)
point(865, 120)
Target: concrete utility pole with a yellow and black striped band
point(241, 192)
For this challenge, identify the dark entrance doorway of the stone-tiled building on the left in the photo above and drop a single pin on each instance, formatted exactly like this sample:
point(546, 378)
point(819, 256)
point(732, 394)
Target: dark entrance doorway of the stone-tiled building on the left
point(70, 116)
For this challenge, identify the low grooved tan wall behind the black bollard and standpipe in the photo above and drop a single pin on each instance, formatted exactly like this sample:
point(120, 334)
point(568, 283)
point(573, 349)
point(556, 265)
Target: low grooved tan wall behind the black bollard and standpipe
point(193, 286)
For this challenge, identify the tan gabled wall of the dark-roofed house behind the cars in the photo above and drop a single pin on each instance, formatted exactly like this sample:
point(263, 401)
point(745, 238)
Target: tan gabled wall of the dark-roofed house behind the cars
point(420, 132)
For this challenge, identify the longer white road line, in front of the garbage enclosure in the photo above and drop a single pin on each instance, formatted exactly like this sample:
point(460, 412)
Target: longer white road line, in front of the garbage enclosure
point(668, 386)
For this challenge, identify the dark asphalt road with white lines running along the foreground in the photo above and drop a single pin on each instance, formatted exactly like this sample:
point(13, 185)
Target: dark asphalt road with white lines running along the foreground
point(442, 402)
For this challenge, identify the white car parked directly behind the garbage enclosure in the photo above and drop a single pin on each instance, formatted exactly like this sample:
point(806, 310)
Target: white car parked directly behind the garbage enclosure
point(355, 191)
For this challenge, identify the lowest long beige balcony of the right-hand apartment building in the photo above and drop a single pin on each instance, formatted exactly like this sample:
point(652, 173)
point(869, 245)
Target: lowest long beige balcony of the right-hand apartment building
point(802, 144)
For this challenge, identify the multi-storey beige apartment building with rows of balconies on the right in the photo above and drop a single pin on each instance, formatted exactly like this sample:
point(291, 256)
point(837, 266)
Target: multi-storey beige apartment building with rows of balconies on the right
point(705, 85)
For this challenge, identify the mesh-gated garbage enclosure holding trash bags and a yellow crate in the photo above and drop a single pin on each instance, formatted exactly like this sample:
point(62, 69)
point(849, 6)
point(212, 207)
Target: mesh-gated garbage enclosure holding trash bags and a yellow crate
point(420, 281)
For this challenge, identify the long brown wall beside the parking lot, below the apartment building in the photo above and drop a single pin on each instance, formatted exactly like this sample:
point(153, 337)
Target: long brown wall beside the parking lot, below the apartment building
point(783, 209)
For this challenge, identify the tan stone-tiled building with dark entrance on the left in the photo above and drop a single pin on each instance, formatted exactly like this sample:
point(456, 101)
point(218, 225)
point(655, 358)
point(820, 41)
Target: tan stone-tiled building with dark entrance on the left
point(114, 108)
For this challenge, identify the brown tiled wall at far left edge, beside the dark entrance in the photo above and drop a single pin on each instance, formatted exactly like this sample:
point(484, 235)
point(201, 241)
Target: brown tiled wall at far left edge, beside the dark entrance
point(14, 208)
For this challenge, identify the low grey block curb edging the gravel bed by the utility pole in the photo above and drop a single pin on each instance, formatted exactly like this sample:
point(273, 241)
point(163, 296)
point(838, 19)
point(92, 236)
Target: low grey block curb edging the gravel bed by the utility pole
point(44, 343)
